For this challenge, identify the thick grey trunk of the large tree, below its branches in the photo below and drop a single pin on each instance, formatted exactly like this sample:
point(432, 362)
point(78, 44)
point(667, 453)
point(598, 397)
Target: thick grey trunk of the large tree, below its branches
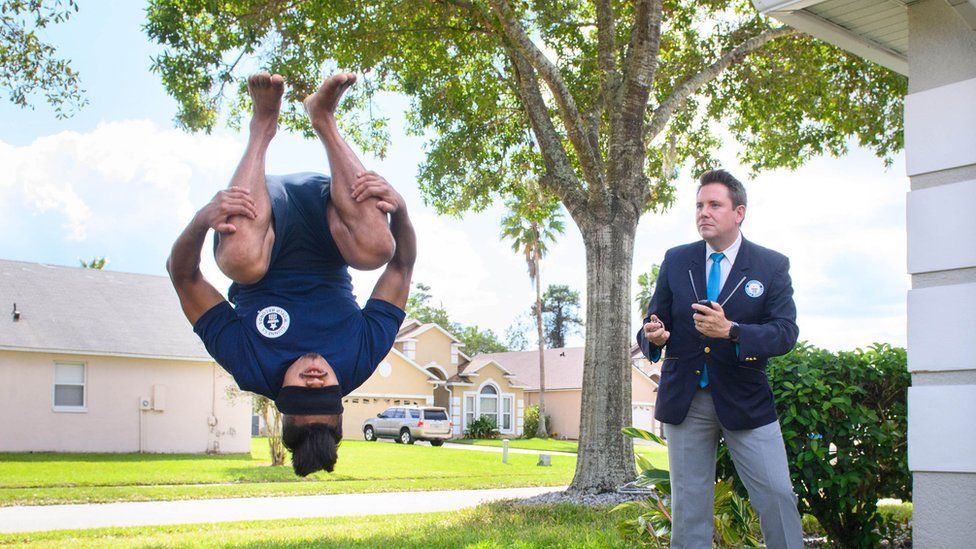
point(606, 457)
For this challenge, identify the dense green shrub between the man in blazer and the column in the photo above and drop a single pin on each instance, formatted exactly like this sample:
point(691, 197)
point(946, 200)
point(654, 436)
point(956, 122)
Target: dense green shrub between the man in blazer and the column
point(844, 420)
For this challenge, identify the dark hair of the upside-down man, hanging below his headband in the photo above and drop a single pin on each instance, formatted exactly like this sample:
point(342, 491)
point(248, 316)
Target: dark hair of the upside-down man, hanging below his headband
point(314, 446)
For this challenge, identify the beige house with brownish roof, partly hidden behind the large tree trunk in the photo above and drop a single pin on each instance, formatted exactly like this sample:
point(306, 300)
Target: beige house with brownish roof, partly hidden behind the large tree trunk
point(564, 386)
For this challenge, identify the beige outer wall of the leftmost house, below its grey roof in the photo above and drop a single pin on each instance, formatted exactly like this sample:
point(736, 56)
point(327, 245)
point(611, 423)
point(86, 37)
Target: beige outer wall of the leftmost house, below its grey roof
point(198, 414)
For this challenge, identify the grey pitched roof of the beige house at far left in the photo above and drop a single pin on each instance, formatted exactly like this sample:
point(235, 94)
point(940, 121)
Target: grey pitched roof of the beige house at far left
point(86, 311)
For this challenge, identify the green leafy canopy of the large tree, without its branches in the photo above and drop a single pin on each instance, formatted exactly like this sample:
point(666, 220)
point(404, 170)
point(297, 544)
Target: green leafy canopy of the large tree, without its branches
point(790, 100)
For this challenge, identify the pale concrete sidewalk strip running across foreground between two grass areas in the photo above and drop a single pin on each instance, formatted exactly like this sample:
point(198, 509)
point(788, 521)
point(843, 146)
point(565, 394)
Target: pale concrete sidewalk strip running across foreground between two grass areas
point(71, 517)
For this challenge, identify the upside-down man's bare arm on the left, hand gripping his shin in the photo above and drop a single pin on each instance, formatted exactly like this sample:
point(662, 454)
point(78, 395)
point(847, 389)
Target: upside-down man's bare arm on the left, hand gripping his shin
point(198, 296)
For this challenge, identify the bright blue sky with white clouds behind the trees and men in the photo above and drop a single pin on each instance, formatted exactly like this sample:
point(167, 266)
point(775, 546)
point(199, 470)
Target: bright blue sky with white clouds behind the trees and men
point(118, 180)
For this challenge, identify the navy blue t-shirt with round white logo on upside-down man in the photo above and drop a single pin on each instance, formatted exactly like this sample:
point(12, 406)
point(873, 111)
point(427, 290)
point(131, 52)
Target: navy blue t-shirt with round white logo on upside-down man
point(303, 304)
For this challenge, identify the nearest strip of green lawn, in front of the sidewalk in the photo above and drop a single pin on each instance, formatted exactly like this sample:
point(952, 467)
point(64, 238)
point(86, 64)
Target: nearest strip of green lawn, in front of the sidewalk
point(495, 525)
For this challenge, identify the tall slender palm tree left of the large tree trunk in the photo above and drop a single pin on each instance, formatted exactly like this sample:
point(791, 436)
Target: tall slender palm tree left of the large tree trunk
point(532, 222)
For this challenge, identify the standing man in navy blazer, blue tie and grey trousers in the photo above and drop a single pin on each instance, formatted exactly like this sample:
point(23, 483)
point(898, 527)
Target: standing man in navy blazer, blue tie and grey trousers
point(713, 380)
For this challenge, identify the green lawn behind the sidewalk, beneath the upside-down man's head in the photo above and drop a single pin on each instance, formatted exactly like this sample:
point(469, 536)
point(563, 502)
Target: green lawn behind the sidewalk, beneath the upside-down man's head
point(48, 478)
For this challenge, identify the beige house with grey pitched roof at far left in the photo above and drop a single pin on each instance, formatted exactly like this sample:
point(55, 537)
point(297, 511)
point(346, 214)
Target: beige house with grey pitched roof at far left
point(101, 361)
